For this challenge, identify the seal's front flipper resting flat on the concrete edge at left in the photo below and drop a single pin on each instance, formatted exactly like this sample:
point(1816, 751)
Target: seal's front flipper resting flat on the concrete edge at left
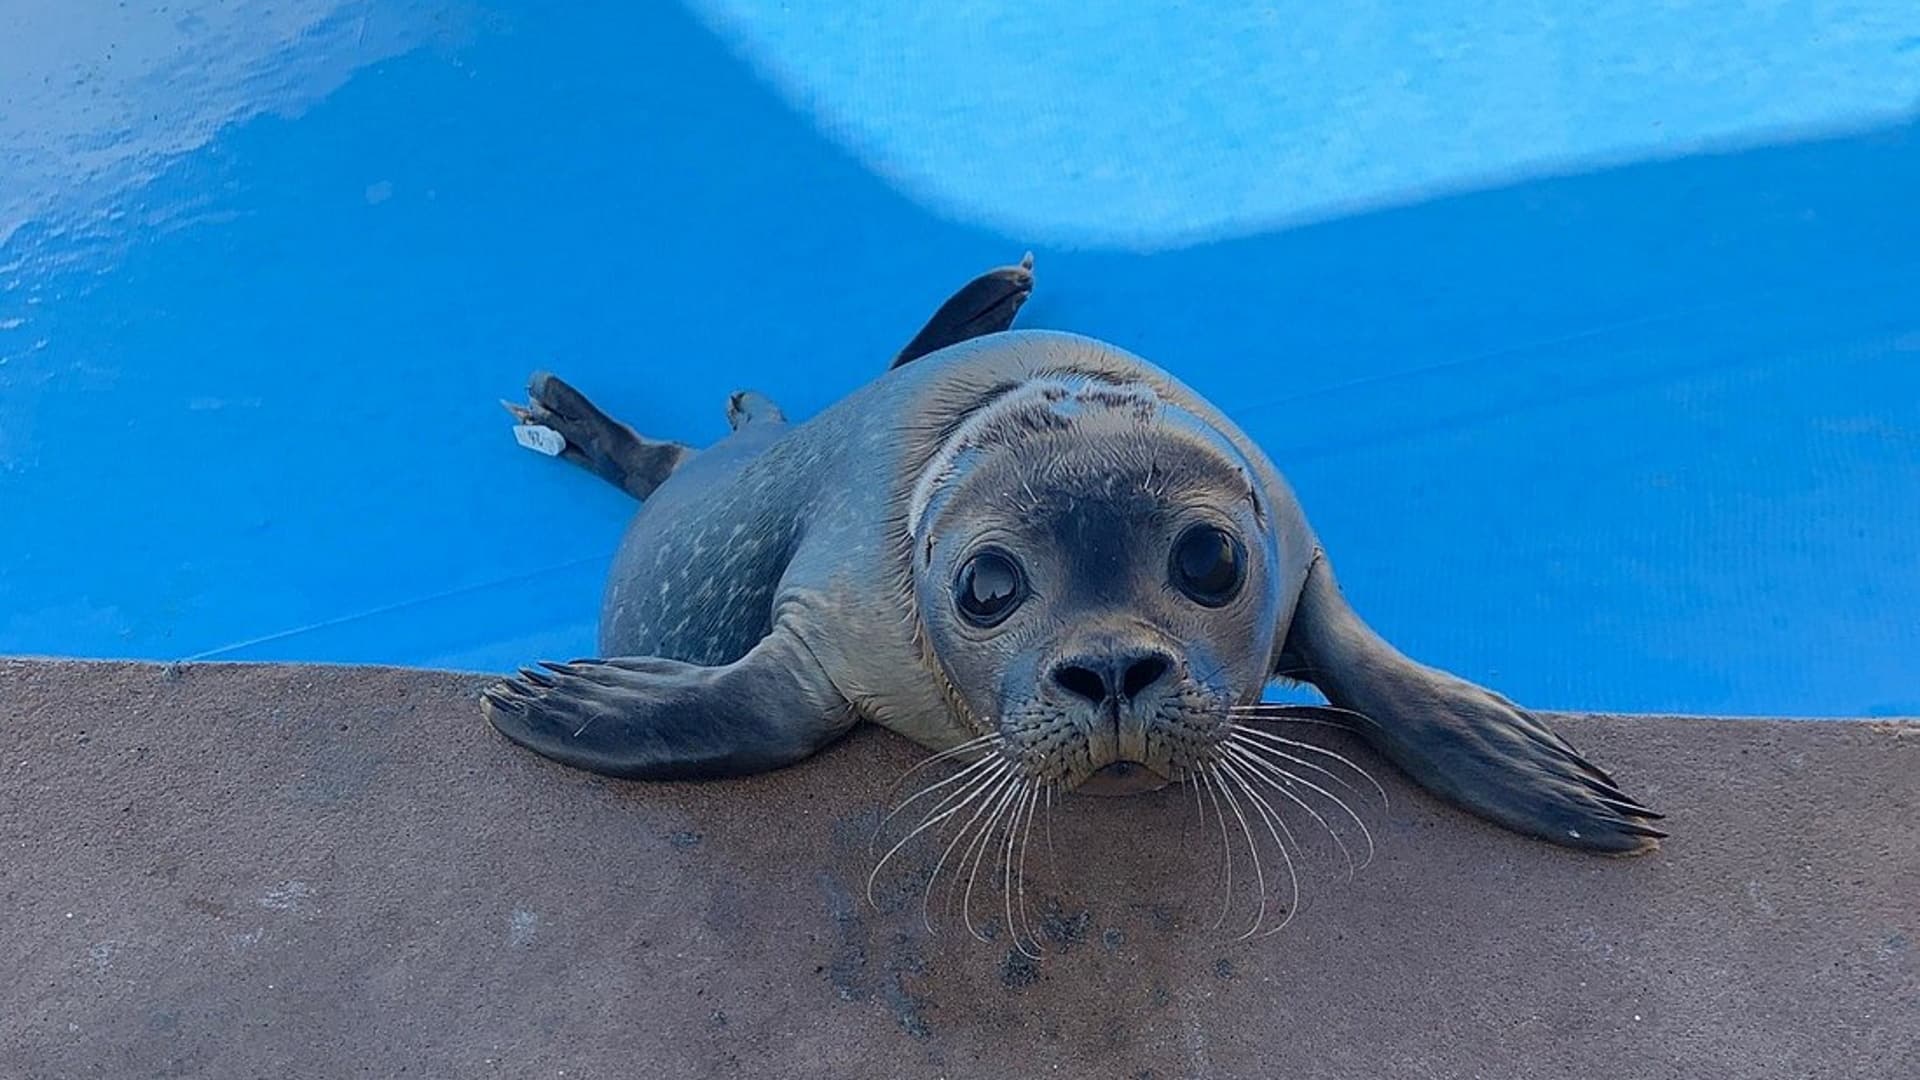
point(661, 720)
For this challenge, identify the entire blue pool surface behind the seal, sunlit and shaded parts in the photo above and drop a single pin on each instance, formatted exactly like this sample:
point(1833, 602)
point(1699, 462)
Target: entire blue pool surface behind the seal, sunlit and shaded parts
point(1589, 341)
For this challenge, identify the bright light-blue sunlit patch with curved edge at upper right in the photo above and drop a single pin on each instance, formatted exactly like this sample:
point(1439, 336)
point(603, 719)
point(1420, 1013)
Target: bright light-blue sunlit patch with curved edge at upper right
point(1151, 126)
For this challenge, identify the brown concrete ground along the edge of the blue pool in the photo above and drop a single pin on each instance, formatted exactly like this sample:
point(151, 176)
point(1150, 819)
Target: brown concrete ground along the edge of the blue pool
point(302, 871)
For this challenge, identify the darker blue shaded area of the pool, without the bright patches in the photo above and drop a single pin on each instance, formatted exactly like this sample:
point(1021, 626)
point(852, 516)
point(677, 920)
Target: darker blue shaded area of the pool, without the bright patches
point(1641, 441)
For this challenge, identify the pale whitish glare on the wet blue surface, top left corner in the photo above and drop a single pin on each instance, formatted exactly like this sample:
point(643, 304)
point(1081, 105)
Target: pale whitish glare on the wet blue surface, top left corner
point(101, 99)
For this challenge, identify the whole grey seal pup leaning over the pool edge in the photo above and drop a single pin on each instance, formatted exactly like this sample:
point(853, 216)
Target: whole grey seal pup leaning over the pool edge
point(1028, 551)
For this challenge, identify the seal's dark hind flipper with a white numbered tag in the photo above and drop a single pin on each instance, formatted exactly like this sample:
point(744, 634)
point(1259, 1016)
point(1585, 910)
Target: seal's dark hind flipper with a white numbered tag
point(590, 439)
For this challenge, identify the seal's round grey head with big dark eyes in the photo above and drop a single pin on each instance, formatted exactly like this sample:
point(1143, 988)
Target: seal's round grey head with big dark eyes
point(1095, 577)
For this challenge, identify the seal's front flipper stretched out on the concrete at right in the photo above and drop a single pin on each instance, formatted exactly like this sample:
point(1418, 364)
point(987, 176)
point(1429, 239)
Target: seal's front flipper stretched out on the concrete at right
point(1460, 741)
